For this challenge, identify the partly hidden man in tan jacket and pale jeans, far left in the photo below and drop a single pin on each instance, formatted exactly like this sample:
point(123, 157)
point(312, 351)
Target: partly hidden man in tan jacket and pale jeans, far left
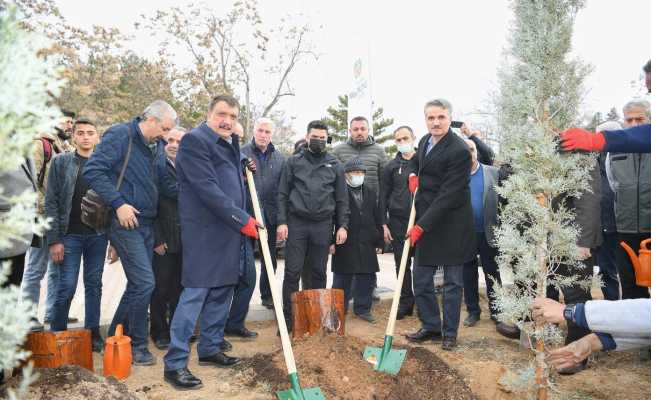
point(46, 146)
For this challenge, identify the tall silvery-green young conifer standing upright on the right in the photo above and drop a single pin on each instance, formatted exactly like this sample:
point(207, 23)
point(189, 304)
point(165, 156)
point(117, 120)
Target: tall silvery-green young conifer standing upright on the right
point(540, 92)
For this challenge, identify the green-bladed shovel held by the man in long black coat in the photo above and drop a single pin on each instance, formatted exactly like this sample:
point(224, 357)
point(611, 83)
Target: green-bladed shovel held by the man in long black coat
point(386, 359)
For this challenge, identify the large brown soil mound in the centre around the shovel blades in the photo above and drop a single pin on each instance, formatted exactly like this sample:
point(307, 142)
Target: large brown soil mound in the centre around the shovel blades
point(335, 364)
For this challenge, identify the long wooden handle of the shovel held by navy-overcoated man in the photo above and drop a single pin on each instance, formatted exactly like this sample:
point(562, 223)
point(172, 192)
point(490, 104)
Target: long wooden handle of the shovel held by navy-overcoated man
point(275, 295)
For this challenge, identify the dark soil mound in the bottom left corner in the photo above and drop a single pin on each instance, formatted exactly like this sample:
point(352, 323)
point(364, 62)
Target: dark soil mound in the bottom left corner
point(76, 383)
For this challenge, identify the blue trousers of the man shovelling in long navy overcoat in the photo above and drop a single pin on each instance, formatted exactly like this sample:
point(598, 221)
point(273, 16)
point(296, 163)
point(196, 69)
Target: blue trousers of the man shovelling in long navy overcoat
point(213, 305)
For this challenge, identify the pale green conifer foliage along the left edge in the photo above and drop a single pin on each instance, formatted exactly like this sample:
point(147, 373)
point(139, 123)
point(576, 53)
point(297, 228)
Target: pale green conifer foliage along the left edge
point(28, 83)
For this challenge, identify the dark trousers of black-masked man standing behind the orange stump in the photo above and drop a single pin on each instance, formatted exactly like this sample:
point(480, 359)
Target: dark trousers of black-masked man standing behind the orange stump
point(308, 242)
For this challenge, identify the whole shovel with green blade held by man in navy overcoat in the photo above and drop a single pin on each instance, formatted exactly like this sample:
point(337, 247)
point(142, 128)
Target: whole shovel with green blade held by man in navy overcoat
point(296, 392)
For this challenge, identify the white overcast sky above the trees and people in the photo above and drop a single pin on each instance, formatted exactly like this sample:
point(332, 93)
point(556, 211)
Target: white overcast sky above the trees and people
point(419, 50)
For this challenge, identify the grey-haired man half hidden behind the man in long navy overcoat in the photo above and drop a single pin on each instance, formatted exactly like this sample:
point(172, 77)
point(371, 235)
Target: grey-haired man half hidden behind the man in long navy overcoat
point(270, 164)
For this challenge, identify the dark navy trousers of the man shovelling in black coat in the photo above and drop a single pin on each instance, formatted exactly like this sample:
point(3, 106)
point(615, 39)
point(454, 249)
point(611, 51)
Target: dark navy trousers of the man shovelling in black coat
point(428, 306)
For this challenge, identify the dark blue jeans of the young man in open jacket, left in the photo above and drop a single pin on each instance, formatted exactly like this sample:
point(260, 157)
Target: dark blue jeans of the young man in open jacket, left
point(93, 249)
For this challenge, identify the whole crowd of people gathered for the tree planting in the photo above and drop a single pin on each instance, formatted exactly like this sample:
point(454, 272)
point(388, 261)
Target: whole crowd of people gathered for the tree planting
point(182, 226)
